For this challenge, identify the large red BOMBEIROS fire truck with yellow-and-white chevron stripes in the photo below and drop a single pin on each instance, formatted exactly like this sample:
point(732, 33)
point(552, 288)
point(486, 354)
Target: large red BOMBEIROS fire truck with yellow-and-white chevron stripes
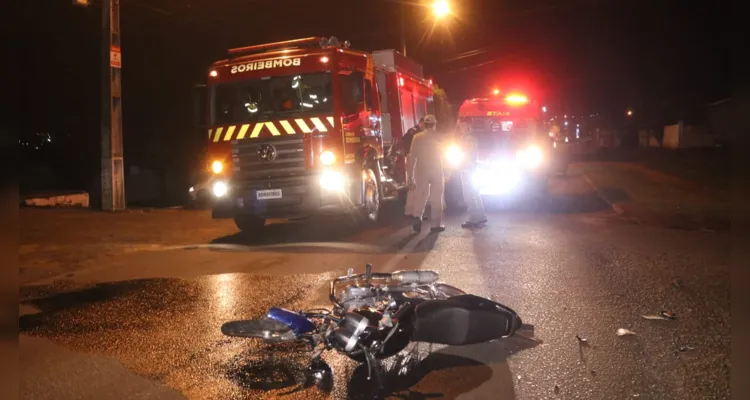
point(309, 126)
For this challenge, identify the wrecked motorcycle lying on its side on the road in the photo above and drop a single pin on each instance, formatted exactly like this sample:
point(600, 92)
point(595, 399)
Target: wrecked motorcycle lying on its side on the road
point(376, 315)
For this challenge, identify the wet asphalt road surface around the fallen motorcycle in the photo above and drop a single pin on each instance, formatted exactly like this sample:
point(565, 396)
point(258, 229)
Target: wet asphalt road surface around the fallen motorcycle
point(145, 324)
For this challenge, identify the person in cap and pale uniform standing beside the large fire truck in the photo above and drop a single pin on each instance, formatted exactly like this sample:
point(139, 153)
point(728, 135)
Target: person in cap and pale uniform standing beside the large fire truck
point(424, 170)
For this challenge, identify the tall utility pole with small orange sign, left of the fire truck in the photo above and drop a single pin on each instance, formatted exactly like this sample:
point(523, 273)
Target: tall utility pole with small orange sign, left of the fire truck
point(113, 169)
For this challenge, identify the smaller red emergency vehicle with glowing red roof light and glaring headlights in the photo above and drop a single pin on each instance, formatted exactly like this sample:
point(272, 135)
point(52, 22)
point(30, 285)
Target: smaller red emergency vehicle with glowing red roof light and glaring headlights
point(513, 147)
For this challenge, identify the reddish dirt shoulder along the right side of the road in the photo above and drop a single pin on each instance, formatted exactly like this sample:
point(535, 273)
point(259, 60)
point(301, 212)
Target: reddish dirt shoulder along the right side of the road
point(651, 196)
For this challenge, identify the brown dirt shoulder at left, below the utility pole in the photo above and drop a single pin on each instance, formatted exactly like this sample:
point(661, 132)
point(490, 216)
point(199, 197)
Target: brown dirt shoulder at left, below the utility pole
point(57, 241)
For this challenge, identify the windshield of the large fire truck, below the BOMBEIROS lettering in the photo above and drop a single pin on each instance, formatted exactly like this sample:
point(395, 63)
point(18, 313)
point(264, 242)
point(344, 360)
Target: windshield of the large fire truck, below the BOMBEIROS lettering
point(261, 98)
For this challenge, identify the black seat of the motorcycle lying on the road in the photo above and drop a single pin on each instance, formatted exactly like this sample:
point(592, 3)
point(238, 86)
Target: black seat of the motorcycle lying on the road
point(462, 320)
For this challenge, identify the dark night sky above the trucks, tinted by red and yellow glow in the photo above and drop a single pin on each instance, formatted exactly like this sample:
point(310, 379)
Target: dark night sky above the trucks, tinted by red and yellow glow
point(577, 56)
